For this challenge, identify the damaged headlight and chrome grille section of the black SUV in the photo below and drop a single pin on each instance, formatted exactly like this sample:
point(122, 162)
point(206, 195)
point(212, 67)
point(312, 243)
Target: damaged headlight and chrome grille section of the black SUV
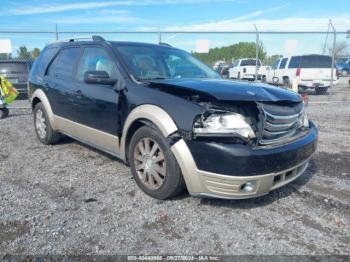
point(251, 123)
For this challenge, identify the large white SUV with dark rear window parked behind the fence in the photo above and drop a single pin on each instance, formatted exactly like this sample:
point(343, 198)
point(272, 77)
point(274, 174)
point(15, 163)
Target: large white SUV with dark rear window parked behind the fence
point(312, 71)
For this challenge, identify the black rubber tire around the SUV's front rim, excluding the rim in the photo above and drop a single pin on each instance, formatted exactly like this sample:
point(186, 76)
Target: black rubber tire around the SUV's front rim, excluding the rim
point(173, 183)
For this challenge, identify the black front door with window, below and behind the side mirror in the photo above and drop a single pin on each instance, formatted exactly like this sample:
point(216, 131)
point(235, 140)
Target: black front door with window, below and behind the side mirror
point(97, 105)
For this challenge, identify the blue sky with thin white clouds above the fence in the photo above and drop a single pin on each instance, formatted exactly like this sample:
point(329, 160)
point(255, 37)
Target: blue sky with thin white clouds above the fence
point(180, 15)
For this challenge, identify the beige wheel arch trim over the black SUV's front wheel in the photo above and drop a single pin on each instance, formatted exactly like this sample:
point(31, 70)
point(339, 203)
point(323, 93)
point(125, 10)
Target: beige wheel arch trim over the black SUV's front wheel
point(145, 115)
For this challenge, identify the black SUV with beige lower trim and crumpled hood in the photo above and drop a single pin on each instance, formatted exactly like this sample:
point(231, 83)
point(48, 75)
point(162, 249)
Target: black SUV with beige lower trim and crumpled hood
point(171, 118)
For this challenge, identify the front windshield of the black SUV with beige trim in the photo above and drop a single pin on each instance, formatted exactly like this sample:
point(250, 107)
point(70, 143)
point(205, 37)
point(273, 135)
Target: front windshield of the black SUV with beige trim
point(157, 62)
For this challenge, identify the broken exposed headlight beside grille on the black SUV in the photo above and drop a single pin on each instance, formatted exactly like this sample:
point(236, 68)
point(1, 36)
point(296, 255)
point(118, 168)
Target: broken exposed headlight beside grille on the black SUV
point(223, 124)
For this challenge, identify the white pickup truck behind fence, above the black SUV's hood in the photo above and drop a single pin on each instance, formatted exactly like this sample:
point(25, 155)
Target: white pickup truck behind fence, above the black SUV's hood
point(245, 69)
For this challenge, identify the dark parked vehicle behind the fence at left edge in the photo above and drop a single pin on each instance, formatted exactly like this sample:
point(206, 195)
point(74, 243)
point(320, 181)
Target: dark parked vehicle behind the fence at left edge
point(16, 71)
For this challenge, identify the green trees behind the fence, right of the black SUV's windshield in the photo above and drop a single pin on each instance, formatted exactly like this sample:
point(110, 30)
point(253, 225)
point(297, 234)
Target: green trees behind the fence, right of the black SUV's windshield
point(227, 53)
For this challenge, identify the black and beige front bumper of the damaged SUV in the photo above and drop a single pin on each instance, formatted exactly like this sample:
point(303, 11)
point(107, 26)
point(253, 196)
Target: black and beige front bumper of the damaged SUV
point(267, 168)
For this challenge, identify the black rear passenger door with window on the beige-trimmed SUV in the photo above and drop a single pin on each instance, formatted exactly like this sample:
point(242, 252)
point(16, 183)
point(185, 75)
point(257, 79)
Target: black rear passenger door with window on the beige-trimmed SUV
point(59, 83)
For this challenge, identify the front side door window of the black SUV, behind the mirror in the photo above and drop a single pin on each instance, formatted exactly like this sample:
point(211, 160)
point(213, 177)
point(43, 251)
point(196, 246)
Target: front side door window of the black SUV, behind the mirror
point(96, 59)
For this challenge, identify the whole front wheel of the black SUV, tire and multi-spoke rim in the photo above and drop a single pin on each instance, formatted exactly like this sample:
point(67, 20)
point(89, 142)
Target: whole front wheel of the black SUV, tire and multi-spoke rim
point(162, 179)
